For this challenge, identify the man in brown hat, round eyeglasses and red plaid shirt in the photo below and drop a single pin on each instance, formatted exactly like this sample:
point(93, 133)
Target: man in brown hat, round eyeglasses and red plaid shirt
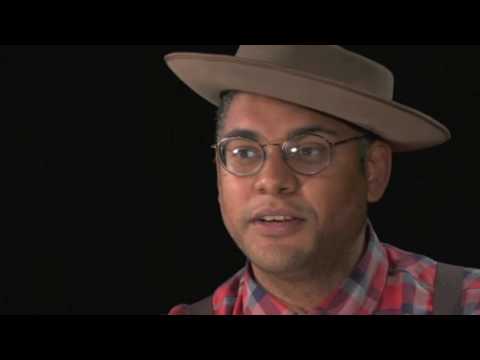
point(305, 141)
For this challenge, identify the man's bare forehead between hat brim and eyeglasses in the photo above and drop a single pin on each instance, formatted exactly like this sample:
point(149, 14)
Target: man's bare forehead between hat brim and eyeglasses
point(272, 118)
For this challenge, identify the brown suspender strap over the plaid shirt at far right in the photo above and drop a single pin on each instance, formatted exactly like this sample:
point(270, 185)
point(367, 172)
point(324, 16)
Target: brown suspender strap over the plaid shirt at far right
point(448, 295)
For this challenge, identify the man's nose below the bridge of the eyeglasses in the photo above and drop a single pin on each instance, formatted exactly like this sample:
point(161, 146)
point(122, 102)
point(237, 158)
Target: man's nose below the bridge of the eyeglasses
point(276, 177)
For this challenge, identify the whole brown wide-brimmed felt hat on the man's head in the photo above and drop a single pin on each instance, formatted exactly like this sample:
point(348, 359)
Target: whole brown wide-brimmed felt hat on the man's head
point(325, 78)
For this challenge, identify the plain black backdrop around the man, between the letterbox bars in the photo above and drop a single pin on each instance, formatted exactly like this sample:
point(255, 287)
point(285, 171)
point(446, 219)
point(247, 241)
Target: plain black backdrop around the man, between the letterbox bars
point(109, 196)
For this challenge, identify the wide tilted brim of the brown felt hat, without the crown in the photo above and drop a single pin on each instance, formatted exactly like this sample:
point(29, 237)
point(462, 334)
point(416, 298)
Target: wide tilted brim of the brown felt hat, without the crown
point(404, 128)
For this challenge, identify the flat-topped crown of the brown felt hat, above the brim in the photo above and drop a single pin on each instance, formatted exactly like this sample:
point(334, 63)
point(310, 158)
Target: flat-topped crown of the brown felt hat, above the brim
point(331, 62)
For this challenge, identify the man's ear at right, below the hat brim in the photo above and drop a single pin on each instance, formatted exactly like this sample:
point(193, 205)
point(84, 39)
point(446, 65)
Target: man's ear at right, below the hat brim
point(378, 170)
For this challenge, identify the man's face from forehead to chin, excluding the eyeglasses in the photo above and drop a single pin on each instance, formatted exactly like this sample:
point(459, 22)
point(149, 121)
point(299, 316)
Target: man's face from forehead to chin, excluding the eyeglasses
point(329, 210)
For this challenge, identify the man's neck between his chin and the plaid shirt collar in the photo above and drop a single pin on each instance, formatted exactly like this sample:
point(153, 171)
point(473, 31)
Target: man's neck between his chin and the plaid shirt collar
point(308, 289)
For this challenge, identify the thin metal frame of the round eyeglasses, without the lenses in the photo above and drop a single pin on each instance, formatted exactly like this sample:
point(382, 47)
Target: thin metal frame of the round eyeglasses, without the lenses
point(331, 146)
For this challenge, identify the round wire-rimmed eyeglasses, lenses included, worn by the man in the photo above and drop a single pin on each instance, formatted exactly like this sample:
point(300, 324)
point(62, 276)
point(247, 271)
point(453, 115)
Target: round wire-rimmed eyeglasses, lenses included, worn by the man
point(307, 154)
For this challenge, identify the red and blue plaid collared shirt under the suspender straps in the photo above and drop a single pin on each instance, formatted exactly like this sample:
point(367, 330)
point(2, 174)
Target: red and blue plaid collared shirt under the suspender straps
point(386, 281)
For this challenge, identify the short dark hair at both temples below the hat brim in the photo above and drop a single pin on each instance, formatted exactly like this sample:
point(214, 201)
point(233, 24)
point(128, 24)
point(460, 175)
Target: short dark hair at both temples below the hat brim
point(227, 97)
